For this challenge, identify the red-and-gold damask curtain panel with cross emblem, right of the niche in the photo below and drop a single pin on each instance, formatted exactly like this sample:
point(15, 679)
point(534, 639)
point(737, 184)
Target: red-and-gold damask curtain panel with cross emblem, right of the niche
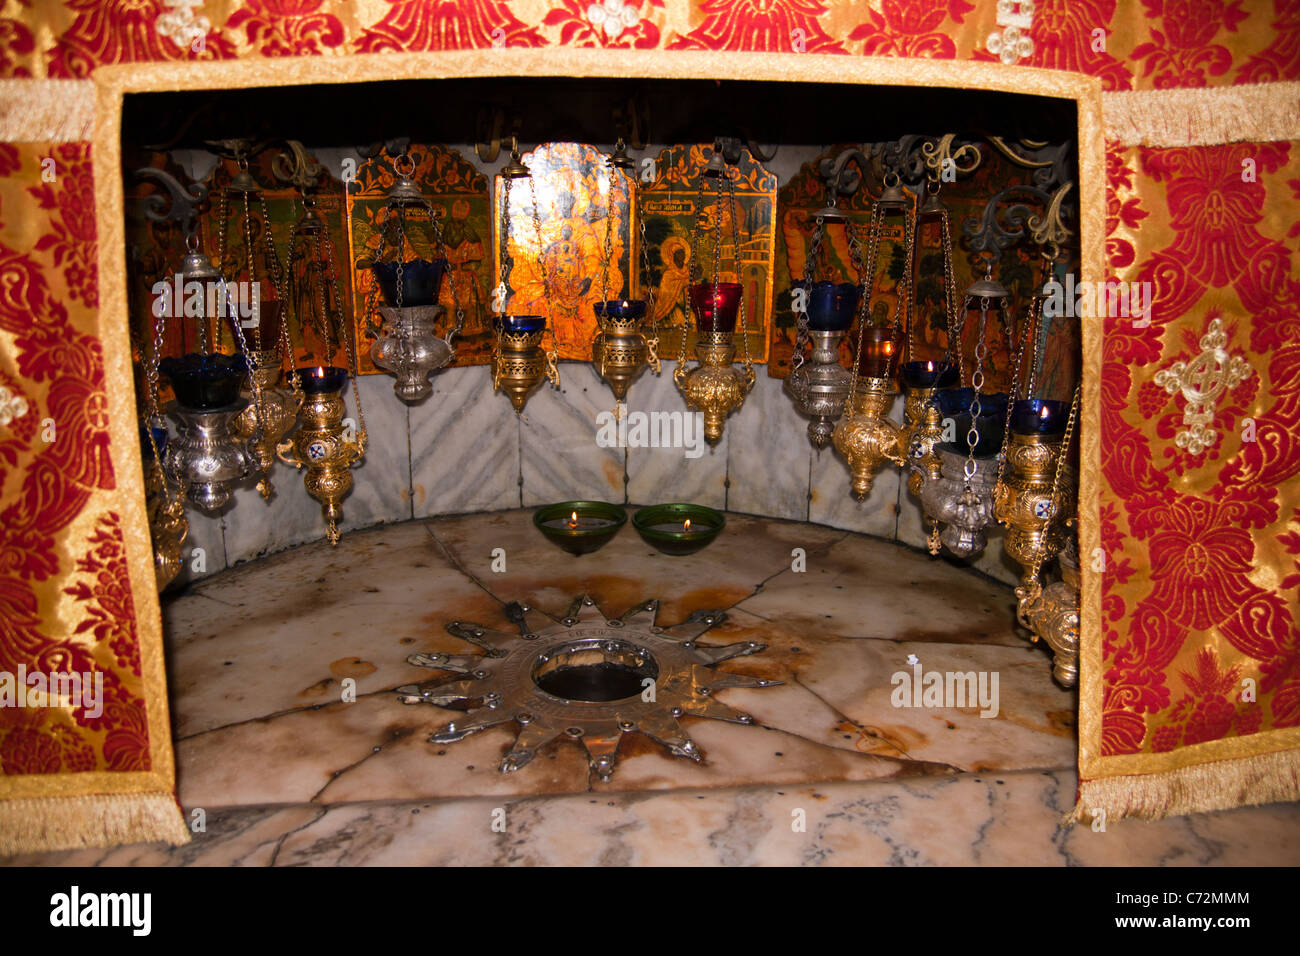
point(1199, 654)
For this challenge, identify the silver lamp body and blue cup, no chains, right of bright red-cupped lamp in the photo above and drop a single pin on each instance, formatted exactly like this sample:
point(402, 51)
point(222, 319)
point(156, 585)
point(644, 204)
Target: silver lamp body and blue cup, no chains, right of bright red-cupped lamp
point(821, 386)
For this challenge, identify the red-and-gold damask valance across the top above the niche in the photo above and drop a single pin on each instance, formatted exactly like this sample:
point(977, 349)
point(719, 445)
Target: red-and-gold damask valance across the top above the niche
point(1130, 45)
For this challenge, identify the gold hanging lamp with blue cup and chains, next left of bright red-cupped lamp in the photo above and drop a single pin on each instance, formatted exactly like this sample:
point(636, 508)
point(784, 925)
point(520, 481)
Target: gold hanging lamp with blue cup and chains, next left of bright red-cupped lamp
point(621, 349)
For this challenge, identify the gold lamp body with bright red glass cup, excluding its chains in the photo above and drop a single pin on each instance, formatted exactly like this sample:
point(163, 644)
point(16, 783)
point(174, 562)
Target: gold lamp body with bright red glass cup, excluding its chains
point(714, 387)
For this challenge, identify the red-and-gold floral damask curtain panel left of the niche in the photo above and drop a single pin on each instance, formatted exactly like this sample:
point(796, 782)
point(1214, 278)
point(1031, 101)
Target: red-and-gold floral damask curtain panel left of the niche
point(67, 599)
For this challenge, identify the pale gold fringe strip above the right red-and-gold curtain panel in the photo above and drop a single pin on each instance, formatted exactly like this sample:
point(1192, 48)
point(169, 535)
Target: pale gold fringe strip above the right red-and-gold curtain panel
point(1249, 114)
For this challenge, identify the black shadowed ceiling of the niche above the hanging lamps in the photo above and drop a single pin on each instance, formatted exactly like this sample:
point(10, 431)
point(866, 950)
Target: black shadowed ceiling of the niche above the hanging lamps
point(561, 110)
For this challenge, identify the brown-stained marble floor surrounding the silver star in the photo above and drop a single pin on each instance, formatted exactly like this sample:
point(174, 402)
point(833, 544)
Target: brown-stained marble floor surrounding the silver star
point(291, 741)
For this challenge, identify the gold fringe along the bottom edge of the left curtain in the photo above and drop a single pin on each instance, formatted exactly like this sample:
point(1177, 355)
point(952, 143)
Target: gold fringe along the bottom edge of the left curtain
point(38, 825)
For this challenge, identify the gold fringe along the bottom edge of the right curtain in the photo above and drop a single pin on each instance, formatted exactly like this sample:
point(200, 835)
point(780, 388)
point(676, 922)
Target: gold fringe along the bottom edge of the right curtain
point(1264, 778)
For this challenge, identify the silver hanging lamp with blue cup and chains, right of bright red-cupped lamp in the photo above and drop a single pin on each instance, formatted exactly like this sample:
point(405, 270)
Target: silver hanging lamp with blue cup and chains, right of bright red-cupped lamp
point(820, 386)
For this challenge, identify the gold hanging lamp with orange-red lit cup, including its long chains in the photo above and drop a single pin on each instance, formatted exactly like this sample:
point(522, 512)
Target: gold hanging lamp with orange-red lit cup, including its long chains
point(865, 436)
